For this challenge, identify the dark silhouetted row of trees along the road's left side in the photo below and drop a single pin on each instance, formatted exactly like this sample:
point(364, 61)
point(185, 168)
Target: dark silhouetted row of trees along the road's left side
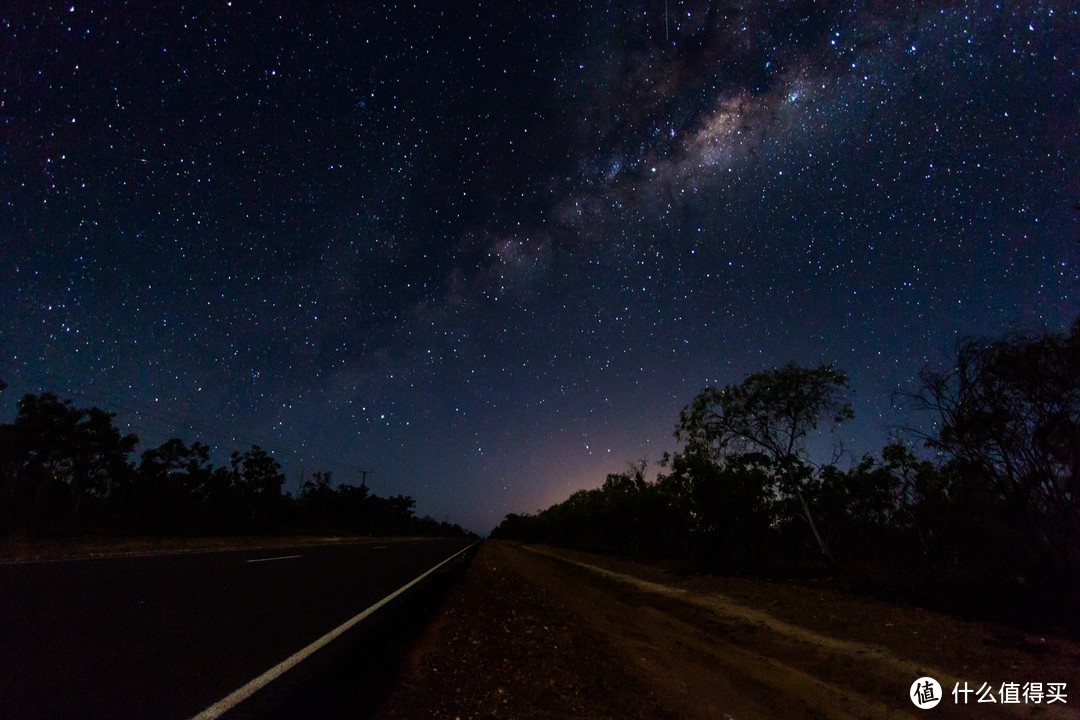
point(70, 471)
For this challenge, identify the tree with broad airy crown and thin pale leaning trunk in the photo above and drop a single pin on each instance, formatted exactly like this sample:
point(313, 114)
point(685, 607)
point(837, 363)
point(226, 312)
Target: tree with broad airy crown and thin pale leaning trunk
point(772, 413)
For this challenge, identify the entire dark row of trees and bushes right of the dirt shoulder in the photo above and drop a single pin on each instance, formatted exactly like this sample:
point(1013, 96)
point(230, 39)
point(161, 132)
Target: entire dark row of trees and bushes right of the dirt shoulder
point(985, 519)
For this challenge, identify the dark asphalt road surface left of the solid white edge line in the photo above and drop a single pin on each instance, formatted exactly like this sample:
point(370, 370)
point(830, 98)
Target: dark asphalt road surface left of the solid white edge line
point(168, 636)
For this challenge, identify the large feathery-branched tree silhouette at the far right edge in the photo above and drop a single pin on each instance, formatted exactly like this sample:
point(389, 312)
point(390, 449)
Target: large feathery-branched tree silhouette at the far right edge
point(1009, 412)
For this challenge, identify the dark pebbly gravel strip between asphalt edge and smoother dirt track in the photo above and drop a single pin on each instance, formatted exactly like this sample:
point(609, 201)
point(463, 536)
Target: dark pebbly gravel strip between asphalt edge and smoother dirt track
point(506, 648)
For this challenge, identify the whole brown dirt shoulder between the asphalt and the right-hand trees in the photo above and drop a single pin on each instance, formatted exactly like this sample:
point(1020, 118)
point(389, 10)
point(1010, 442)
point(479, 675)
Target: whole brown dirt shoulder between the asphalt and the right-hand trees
point(537, 633)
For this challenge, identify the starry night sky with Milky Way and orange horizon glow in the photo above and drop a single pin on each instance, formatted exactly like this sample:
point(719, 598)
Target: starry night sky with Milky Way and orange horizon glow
point(490, 250)
